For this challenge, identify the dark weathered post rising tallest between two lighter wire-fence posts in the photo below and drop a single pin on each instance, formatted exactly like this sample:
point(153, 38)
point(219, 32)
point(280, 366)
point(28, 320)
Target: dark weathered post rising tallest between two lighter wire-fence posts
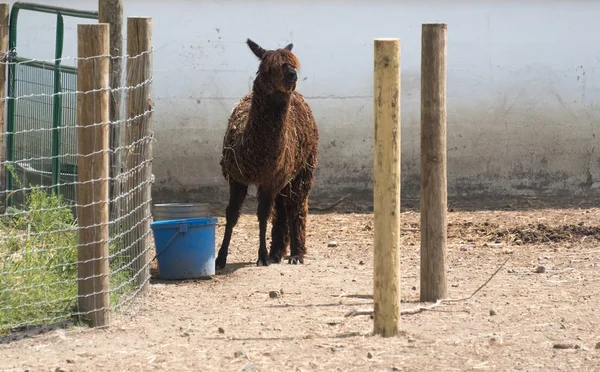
point(111, 12)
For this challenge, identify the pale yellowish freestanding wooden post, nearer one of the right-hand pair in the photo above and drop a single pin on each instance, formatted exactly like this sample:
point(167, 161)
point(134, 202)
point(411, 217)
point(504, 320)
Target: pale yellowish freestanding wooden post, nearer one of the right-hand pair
point(387, 187)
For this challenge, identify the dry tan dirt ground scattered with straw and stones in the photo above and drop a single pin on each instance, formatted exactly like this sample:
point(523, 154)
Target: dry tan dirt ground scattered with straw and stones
point(540, 312)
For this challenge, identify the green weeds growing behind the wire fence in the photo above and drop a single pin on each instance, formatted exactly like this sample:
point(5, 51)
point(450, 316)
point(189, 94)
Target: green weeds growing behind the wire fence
point(38, 263)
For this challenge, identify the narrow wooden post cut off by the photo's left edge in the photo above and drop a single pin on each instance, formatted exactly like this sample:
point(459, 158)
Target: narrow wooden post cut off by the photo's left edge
point(4, 28)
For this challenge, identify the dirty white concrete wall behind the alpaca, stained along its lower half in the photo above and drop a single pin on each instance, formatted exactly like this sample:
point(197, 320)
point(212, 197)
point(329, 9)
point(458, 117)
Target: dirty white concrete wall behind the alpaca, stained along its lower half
point(523, 87)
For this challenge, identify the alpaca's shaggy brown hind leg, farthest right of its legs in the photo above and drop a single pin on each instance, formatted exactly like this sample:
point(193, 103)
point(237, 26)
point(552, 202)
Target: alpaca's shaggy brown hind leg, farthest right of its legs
point(297, 214)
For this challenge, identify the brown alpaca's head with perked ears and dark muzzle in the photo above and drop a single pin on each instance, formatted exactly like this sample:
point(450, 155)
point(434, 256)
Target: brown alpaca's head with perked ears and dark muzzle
point(277, 69)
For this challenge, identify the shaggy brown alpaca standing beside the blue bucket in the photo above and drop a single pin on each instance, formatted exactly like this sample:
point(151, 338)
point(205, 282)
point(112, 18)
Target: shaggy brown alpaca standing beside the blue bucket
point(271, 142)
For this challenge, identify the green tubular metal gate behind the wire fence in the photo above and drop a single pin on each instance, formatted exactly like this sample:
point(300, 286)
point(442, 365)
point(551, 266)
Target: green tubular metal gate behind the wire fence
point(41, 114)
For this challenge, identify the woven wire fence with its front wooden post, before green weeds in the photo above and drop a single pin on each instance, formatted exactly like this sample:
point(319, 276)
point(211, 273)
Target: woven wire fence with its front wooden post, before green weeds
point(54, 268)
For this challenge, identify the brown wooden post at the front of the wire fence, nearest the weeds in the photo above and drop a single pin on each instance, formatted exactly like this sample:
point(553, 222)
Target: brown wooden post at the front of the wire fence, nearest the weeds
point(93, 164)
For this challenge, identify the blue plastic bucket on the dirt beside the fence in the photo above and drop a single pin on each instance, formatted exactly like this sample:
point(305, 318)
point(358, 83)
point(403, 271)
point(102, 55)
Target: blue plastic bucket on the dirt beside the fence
point(185, 249)
